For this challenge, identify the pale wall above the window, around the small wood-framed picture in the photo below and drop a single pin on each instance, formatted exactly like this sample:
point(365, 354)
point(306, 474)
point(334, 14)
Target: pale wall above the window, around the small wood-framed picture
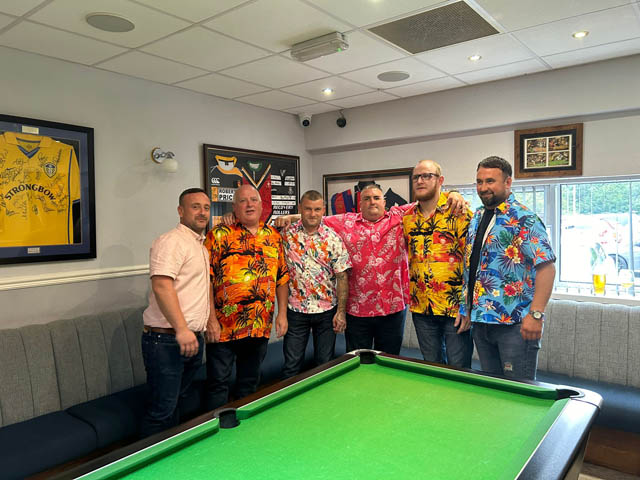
point(460, 127)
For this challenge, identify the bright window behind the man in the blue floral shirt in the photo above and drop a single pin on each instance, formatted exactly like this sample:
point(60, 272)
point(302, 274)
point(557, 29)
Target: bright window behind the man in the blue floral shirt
point(592, 226)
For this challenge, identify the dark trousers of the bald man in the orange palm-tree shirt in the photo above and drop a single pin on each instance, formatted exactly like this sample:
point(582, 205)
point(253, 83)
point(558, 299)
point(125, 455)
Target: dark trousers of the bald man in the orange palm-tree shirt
point(248, 354)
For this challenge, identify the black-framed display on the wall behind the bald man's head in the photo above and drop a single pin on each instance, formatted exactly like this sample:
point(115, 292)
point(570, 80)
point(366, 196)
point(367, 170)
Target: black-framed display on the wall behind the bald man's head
point(276, 176)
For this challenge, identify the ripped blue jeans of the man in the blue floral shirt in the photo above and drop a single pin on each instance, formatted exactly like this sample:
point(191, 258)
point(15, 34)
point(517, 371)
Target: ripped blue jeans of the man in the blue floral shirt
point(503, 351)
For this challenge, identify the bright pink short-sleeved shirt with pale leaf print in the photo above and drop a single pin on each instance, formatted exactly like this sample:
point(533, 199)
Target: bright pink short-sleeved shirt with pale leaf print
point(379, 277)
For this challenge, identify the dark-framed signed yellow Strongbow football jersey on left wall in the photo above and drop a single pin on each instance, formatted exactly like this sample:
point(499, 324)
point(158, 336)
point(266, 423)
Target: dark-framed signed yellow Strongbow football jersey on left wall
point(47, 191)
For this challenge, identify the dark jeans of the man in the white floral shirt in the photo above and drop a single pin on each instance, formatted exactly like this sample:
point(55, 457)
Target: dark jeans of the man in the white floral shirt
point(297, 336)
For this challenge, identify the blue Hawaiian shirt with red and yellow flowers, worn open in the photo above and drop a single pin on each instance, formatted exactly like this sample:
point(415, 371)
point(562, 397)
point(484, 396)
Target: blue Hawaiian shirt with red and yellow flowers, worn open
point(505, 281)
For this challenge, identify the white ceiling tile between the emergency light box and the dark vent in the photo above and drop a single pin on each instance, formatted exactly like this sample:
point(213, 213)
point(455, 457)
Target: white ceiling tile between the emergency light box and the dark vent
point(364, 51)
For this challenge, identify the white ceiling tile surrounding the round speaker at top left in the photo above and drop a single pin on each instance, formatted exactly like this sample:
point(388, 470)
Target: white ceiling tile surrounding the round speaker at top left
point(70, 15)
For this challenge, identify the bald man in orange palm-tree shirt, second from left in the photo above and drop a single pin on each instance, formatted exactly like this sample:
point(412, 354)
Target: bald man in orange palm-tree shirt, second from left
point(249, 273)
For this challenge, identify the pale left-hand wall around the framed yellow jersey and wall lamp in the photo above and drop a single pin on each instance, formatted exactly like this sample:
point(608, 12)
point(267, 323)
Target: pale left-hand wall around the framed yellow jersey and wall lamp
point(135, 200)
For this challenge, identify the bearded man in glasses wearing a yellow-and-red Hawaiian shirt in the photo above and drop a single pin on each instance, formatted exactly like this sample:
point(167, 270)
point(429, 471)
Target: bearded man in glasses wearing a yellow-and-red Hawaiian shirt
point(436, 242)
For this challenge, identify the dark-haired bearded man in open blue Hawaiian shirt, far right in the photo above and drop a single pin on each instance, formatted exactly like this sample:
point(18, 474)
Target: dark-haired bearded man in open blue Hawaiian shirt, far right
point(508, 276)
